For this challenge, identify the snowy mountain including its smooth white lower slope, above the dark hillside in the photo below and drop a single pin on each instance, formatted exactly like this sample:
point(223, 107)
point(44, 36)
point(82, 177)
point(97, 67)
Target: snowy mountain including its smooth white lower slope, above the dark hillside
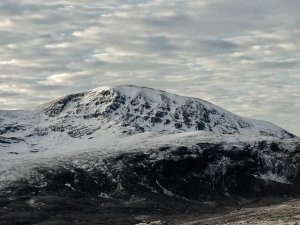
point(119, 119)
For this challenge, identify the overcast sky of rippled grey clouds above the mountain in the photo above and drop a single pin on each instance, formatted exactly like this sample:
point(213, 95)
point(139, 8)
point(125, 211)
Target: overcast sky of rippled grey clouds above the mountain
point(241, 55)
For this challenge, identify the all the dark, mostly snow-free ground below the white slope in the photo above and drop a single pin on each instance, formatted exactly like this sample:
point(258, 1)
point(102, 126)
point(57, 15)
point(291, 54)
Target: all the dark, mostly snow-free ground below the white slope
point(201, 184)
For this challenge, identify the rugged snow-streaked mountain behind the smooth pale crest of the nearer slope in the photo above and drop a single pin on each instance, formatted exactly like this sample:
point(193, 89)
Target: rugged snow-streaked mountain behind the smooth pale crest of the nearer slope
point(123, 110)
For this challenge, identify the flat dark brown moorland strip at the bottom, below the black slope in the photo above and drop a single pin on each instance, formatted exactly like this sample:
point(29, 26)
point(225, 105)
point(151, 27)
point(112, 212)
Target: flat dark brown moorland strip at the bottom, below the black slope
point(152, 209)
